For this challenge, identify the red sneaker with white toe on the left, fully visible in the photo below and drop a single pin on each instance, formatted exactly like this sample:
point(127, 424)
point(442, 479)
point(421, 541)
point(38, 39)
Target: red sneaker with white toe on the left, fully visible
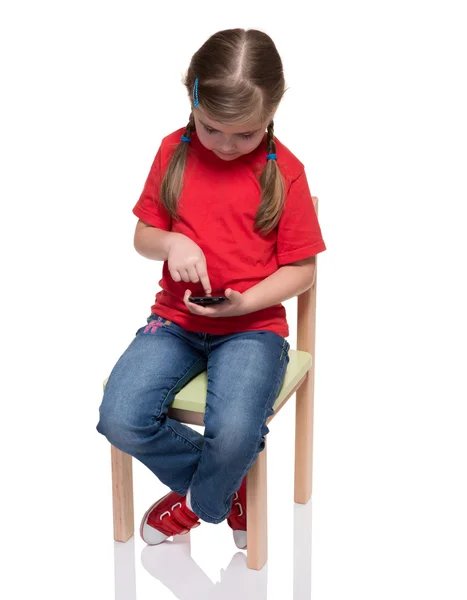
point(168, 516)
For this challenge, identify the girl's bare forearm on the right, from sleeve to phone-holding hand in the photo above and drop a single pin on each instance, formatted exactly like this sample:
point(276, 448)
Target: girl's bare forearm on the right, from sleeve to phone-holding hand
point(285, 283)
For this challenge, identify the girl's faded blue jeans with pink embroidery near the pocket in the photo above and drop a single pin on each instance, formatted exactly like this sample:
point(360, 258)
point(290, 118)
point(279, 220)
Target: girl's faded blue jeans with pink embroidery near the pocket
point(245, 374)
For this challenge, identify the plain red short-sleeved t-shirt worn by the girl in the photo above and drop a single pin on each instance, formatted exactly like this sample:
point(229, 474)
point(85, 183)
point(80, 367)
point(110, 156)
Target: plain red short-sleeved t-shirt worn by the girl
point(217, 209)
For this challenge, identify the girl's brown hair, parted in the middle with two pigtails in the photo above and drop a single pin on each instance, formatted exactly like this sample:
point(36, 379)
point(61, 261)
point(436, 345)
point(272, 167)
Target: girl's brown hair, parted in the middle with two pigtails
point(240, 77)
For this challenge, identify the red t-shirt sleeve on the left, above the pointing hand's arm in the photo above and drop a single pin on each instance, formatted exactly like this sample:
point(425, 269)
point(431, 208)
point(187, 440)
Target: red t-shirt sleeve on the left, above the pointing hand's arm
point(149, 207)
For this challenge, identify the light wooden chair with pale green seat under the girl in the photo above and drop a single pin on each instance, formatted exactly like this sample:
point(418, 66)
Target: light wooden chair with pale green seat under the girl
point(188, 407)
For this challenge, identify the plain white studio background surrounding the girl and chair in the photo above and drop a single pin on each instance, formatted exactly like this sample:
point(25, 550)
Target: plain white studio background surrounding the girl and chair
point(376, 112)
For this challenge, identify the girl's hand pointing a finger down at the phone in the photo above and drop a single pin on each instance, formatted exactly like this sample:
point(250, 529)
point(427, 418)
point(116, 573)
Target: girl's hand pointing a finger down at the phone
point(186, 261)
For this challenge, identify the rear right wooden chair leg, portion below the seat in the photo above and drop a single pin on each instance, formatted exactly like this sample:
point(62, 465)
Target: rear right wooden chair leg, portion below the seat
point(304, 440)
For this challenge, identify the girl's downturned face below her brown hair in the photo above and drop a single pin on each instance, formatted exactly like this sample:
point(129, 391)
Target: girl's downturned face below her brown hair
point(228, 141)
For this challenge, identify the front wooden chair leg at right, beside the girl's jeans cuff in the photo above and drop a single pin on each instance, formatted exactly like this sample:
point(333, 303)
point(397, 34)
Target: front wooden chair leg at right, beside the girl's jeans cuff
point(257, 519)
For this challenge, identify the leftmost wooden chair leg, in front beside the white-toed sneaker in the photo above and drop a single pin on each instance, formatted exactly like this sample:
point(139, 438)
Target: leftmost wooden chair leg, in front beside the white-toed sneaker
point(122, 495)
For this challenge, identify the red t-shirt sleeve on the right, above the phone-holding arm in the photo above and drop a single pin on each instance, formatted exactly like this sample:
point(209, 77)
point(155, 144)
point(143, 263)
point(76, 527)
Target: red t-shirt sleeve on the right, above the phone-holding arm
point(299, 234)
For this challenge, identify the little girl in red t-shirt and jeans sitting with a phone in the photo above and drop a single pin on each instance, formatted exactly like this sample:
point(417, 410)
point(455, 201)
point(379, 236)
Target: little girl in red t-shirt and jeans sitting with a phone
point(228, 209)
